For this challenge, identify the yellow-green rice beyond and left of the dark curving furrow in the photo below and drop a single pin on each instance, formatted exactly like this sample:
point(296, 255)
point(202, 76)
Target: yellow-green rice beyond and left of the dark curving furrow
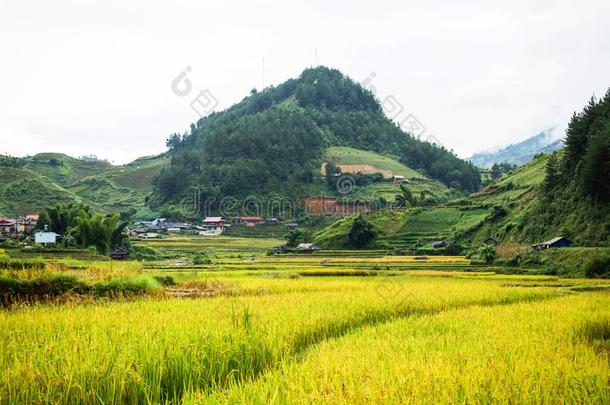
point(156, 351)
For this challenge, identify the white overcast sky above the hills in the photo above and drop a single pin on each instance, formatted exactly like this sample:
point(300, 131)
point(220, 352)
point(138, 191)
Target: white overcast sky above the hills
point(95, 77)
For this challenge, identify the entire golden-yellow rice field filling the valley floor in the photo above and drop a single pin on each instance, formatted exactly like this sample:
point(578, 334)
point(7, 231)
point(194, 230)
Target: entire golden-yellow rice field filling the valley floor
point(288, 329)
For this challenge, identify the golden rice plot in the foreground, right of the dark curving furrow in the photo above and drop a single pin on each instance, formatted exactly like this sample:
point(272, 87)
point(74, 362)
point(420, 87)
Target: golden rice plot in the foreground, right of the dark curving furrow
point(526, 353)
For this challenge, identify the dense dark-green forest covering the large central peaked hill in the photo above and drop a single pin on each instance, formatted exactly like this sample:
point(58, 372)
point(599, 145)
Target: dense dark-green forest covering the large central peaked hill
point(273, 142)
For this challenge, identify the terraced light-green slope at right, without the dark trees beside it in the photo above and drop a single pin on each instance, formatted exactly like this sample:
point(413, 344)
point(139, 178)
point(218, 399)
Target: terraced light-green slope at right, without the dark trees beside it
point(498, 211)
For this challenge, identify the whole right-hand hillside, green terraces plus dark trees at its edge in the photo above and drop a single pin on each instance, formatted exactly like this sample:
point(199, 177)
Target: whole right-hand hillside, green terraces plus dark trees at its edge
point(564, 193)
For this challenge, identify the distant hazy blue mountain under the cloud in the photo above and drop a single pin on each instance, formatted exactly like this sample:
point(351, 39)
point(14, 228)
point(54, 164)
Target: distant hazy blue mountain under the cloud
point(520, 153)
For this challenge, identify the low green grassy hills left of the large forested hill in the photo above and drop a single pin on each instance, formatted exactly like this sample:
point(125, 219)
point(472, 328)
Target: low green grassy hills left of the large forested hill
point(33, 183)
